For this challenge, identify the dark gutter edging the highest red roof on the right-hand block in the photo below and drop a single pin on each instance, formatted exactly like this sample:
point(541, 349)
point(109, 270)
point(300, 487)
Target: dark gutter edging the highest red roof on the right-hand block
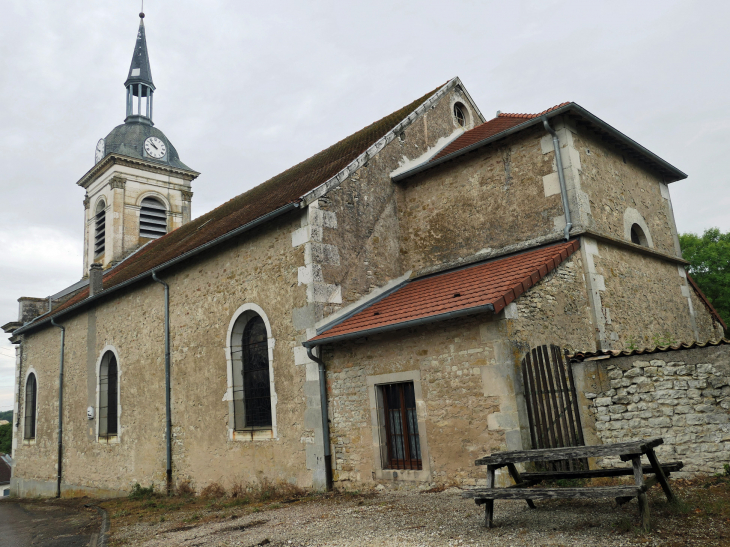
point(678, 175)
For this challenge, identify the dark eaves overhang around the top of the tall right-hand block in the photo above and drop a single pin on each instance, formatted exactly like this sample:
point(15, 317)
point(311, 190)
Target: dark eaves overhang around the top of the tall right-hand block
point(580, 114)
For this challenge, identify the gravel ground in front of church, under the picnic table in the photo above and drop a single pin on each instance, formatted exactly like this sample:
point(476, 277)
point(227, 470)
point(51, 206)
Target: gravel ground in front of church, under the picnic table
point(413, 519)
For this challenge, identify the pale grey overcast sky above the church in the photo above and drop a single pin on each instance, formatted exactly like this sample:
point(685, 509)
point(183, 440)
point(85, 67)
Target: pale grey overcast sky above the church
point(248, 89)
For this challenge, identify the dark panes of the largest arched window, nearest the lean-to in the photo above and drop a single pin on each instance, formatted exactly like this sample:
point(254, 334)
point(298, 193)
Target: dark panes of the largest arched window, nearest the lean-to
point(253, 410)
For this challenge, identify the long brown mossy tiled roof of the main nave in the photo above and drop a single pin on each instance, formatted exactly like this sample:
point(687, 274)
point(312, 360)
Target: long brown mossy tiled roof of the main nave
point(283, 189)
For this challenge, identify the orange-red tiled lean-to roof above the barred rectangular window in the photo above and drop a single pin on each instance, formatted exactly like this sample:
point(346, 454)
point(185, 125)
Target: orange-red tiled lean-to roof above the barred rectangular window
point(497, 283)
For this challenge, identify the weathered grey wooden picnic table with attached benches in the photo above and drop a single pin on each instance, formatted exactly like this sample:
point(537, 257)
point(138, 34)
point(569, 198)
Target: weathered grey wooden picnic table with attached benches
point(627, 451)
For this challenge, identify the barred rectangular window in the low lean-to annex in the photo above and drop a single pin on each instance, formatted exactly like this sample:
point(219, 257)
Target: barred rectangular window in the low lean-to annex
point(401, 426)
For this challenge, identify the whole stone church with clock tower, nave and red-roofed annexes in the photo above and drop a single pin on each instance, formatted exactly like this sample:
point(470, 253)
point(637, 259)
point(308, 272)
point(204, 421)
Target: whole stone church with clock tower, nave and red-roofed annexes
point(359, 317)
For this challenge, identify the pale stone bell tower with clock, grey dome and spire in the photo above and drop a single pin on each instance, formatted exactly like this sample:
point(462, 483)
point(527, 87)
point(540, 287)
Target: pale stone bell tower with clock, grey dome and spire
point(138, 189)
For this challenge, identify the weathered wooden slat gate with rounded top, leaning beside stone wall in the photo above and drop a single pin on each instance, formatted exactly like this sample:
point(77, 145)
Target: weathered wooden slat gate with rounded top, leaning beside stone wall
point(552, 404)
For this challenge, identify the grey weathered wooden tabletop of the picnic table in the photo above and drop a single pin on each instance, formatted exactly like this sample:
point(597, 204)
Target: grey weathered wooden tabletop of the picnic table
point(570, 452)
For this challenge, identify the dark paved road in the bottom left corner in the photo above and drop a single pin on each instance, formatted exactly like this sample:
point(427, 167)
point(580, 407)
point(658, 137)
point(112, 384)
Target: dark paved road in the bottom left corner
point(47, 523)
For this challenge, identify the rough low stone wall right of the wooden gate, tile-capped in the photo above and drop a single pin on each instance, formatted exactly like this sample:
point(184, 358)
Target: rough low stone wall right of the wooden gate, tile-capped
point(682, 396)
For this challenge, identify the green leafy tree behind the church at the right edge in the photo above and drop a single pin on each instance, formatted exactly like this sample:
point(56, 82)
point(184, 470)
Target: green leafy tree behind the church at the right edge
point(709, 258)
